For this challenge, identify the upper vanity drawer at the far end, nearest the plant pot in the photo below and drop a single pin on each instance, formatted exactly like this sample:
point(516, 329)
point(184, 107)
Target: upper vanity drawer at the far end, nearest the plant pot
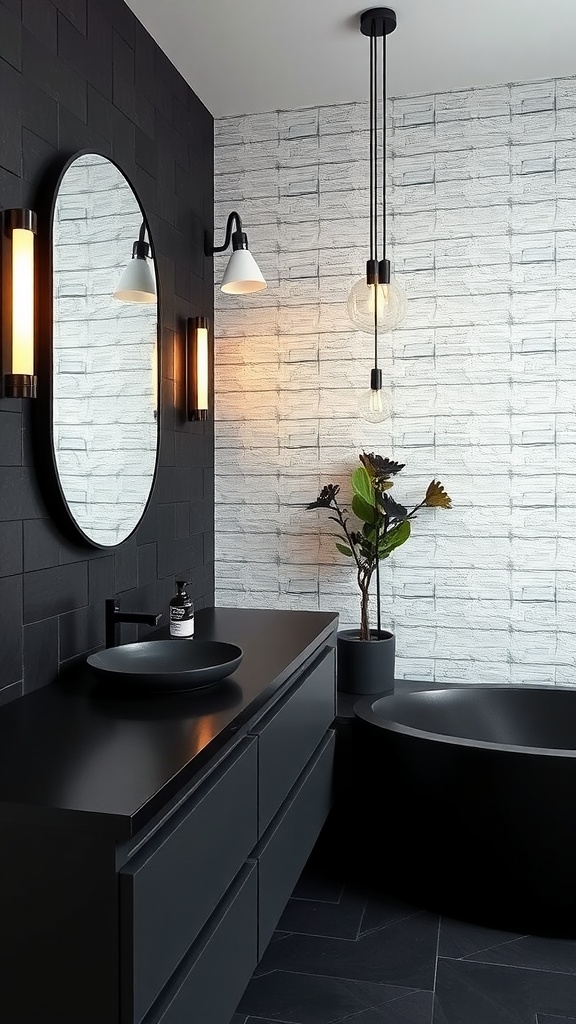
point(291, 733)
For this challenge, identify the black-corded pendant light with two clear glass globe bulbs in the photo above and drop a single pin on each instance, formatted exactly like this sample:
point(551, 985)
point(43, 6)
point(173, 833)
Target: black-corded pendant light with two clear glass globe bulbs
point(377, 304)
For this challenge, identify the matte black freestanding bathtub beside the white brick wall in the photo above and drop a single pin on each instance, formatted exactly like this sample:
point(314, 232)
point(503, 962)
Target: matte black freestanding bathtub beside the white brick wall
point(473, 791)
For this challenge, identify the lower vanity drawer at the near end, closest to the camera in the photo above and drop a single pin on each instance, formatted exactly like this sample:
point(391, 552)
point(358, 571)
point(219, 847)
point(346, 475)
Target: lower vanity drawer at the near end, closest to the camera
point(211, 982)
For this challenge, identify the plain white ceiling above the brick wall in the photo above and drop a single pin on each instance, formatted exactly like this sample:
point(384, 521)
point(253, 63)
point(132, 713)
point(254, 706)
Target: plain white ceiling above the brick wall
point(251, 56)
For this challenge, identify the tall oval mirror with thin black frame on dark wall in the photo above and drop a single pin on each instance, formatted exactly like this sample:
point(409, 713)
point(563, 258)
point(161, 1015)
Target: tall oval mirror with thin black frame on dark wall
point(105, 351)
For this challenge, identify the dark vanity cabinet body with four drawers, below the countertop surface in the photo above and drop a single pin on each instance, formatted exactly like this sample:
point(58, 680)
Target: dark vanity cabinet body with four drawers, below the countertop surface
point(167, 926)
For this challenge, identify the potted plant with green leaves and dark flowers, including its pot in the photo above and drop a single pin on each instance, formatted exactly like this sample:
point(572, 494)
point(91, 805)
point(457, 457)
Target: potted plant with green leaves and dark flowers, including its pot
point(366, 657)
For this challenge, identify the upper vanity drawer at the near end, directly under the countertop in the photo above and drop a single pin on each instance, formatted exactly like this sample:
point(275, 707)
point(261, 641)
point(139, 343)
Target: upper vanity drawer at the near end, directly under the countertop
point(170, 889)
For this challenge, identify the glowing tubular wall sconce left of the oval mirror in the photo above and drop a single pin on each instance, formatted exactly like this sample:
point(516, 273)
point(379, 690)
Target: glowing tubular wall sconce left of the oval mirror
point(19, 231)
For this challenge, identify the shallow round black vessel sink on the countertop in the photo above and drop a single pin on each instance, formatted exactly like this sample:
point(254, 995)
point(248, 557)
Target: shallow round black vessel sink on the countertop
point(167, 666)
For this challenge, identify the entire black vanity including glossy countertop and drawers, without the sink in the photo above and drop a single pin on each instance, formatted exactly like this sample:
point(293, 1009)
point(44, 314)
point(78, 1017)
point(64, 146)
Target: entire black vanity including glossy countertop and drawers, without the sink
point(149, 846)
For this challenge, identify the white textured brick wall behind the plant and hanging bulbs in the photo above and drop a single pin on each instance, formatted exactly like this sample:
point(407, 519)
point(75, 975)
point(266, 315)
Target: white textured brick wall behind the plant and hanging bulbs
point(483, 373)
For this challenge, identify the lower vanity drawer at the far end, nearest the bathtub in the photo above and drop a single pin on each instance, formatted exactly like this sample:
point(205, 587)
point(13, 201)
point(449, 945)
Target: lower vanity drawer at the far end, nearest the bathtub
point(287, 844)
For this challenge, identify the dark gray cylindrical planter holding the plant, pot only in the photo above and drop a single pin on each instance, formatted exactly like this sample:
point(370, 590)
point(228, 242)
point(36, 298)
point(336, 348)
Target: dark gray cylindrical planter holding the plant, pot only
point(366, 666)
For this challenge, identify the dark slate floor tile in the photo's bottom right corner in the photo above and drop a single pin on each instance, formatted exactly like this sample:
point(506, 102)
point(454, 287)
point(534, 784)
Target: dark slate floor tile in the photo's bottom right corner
point(479, 994)
